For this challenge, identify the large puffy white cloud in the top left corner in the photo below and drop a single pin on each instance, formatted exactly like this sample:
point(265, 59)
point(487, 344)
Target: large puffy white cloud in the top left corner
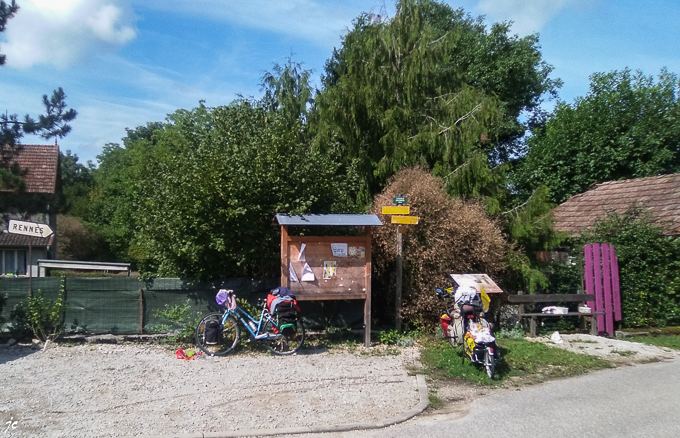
point(61, 32)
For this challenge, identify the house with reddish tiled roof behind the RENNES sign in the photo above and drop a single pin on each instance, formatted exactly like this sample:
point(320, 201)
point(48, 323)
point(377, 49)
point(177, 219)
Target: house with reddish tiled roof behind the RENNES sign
point(37, 202)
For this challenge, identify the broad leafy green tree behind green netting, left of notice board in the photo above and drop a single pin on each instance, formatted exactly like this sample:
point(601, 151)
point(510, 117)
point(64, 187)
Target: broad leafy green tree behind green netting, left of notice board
point(195, 196)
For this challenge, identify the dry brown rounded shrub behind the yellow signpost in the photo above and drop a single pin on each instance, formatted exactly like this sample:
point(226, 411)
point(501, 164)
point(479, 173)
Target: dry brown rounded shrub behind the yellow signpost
point(452, 236)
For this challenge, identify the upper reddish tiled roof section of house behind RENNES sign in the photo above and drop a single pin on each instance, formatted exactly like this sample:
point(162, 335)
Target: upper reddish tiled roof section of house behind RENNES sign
point(41, 163)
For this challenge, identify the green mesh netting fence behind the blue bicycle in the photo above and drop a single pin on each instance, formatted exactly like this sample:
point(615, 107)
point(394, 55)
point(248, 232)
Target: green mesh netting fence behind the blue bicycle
point(126, 305)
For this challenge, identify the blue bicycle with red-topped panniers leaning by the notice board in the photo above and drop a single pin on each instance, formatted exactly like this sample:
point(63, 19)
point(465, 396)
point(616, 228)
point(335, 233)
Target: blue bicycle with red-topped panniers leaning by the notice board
point(278, 327)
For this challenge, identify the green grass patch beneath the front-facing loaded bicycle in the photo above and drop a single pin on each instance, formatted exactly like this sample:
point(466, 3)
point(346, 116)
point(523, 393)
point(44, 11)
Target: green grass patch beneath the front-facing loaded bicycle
point(519, 358)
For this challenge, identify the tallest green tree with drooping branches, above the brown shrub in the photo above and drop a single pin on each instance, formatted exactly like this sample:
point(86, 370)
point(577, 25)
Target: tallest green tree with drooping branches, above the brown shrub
point(432, 87)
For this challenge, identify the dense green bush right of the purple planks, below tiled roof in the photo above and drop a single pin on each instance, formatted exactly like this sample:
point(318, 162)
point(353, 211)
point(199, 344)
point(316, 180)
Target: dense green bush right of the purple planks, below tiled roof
point(649, 267)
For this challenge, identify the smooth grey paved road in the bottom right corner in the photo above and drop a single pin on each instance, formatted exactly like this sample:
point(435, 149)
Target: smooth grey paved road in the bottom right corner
point(635, 401)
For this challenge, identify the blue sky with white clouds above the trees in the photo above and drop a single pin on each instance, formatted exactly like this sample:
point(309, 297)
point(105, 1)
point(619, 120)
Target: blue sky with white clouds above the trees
point(123, 63)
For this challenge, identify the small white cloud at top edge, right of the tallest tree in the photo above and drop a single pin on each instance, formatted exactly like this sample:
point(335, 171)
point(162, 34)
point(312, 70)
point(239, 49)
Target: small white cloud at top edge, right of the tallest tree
point(528, 16)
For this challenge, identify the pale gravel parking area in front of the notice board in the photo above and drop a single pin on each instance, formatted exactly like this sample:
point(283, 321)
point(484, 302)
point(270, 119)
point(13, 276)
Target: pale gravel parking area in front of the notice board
point(137, 389)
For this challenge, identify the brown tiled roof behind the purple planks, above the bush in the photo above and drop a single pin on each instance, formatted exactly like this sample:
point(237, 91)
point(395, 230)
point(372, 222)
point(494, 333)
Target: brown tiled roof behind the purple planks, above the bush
point(660, 195)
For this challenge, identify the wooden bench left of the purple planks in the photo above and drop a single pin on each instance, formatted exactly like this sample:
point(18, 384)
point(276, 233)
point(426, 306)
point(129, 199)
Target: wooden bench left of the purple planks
point(522, 300)
